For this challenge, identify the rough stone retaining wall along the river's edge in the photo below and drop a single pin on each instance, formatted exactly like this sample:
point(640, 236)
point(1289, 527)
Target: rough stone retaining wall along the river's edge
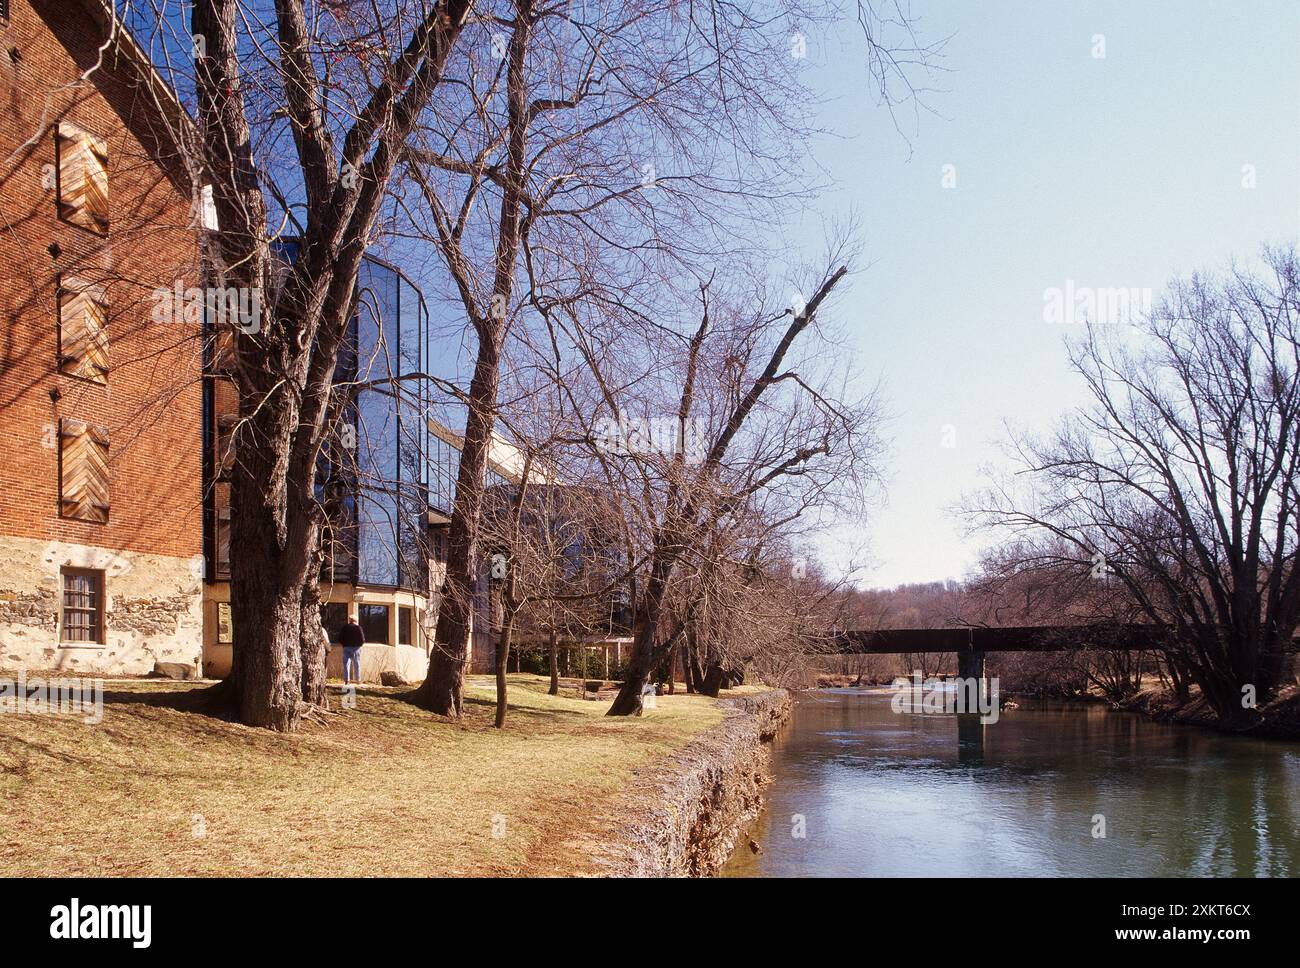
point(683, 819)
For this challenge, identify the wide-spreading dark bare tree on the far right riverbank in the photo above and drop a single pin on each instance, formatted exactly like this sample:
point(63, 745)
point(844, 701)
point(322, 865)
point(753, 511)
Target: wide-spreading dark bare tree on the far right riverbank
point(1180, 483)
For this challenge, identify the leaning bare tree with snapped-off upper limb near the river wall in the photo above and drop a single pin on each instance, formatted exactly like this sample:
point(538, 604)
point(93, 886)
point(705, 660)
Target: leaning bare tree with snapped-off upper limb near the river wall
point(683, 501)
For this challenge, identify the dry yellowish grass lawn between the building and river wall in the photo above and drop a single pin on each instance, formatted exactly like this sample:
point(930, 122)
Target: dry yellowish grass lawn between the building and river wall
point(384, 789)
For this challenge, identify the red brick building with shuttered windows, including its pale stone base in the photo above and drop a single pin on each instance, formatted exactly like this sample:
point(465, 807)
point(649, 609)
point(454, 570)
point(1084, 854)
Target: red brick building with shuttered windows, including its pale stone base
point(101, 405)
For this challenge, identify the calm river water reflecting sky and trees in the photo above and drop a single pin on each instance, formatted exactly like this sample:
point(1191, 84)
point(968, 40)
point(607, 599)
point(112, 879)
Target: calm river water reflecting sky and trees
point(863, 791)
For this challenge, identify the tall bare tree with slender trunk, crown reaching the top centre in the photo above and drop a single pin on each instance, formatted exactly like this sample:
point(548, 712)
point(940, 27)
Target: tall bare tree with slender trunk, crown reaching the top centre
point(595, 154)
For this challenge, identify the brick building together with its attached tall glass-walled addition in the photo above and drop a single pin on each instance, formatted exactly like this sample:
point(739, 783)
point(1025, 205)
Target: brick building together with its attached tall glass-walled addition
point(115, 440)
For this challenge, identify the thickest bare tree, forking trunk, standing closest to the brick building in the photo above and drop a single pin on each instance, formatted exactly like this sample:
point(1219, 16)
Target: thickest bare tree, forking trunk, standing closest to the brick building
point(348, 121)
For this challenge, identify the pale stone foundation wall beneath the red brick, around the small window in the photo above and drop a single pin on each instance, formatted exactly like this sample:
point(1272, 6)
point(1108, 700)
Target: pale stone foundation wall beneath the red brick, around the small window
point(154, 610)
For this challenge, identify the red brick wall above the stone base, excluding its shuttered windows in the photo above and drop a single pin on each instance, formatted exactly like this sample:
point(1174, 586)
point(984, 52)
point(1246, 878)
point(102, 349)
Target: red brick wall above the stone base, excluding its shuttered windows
point(151, 405)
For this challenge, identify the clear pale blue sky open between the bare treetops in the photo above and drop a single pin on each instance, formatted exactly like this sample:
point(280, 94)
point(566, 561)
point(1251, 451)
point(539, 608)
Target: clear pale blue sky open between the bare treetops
point(1116, 172)
